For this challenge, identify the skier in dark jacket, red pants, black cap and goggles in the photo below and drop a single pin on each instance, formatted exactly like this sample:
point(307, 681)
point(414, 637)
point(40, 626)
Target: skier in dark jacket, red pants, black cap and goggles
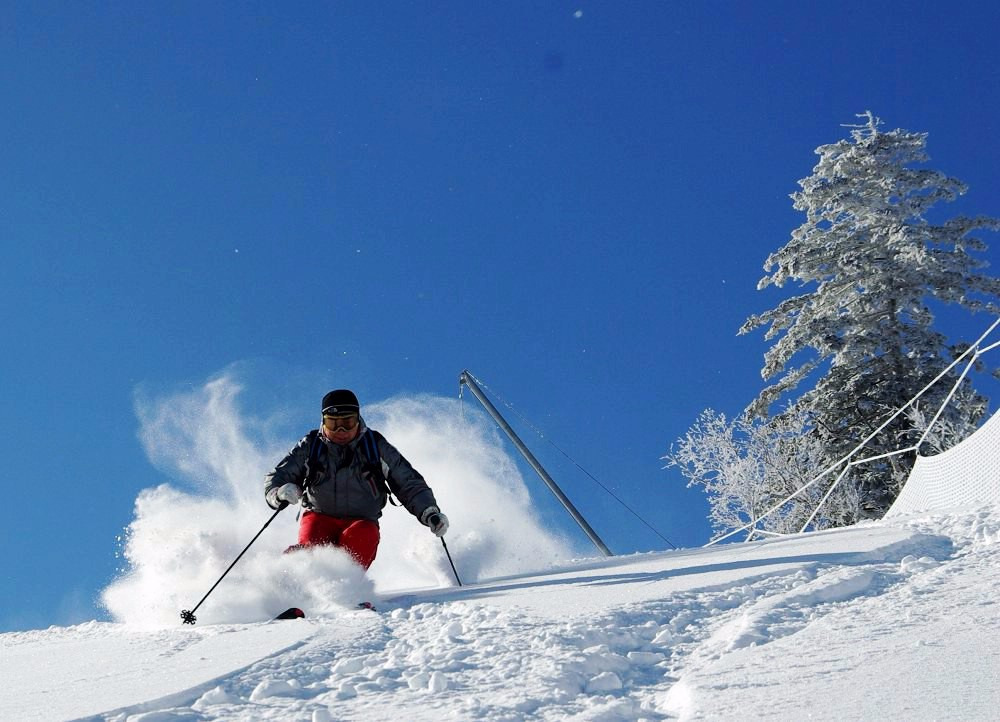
point(342, 473)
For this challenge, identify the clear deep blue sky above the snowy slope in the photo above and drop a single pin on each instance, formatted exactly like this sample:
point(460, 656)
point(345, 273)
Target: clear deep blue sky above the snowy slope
point(573, 200)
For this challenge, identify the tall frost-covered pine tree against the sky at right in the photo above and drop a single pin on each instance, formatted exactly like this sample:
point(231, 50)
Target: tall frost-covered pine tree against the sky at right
point(866, 329)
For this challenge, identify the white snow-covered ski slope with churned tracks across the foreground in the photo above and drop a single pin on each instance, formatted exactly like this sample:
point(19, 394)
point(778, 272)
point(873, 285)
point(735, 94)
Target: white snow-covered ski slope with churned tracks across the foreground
point(891, 620)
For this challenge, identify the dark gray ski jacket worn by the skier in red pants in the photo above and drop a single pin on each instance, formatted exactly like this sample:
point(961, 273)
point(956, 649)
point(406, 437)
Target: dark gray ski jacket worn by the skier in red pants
point(343, 488)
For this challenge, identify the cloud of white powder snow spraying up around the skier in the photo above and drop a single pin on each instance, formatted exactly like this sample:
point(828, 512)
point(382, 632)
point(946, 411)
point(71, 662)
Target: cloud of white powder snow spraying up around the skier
point(184, 533)
